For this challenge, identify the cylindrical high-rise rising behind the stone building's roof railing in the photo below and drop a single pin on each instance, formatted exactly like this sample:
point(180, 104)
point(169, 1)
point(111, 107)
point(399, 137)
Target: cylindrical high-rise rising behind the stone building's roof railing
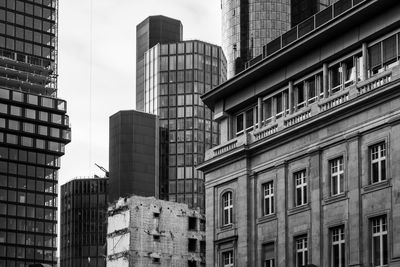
point(248, 25)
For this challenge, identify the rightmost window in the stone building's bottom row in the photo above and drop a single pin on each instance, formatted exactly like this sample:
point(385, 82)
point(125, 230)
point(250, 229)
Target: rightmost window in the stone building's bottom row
point(379, 241)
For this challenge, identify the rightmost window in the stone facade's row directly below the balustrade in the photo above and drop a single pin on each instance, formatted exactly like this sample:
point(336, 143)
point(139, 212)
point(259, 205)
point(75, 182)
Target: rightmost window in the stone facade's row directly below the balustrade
point(378, 163)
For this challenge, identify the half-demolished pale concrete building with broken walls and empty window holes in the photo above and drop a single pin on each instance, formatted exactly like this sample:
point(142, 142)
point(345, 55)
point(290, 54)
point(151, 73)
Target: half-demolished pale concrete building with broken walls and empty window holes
point(144, 231)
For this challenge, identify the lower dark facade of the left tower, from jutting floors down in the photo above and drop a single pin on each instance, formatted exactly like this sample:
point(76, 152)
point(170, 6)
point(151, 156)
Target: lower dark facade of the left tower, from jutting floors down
point(33, 132)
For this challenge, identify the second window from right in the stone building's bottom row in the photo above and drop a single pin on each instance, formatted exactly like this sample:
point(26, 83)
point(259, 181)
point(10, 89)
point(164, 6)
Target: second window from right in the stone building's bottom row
point(338, 256)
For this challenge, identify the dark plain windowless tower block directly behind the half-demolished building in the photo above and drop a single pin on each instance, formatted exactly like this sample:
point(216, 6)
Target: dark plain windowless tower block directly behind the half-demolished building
point(137, 156)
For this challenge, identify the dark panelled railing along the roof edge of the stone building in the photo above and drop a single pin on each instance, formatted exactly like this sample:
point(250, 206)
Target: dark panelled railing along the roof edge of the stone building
point(305, 27)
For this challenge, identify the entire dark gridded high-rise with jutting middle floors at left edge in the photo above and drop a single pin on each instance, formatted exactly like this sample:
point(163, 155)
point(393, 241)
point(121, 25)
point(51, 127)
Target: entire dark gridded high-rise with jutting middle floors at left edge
point(33, 131)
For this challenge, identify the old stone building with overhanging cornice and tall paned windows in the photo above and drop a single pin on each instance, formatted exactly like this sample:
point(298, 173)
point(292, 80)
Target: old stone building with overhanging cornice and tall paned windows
point(307, 170)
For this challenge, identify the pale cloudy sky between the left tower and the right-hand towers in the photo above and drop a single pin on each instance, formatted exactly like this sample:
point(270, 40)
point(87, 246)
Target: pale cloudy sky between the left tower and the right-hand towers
point(96, 66)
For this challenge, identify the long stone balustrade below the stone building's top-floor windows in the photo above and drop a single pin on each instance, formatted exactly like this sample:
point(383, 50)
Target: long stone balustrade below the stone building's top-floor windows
point(272, 126)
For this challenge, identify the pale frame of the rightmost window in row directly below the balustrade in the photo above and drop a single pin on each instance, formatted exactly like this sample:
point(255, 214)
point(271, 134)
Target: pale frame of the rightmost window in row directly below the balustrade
point(379, 161)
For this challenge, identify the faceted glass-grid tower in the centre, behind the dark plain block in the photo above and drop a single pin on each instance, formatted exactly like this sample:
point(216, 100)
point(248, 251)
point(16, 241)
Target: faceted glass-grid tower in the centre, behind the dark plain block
point(176, 75)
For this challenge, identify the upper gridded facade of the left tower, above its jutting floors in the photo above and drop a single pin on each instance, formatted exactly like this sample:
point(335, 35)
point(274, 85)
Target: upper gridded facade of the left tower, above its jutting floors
point(28, 42)
